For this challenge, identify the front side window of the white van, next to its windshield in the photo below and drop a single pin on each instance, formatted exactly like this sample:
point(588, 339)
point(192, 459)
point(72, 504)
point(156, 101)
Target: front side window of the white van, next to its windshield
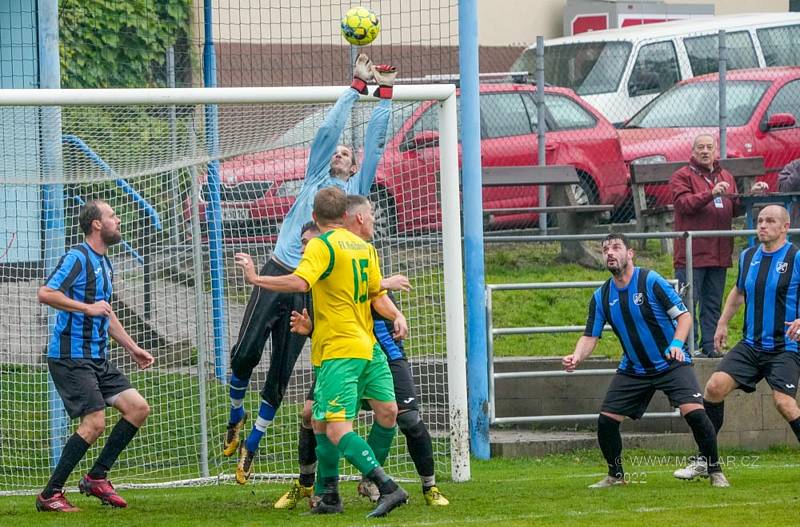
point(655, 69)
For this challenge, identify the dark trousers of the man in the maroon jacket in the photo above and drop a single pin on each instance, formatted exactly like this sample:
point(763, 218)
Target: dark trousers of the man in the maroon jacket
point(708, 289)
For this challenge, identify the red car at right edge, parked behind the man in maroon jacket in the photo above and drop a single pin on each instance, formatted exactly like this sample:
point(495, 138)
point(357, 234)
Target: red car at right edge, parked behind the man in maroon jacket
point(762, 121)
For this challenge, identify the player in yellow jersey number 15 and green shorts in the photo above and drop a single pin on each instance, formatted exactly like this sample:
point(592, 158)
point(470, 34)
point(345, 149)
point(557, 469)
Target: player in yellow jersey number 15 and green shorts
point(343, 273)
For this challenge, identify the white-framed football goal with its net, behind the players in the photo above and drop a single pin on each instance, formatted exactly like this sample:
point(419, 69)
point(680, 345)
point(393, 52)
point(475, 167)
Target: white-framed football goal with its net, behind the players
point(195, 176)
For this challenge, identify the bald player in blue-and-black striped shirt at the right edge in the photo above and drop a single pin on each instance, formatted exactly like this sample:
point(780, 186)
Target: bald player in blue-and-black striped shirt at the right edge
point(768, 286)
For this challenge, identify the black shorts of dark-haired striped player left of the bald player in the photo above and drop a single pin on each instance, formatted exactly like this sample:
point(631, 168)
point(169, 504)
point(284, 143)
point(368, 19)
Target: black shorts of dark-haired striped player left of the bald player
point(629, 395)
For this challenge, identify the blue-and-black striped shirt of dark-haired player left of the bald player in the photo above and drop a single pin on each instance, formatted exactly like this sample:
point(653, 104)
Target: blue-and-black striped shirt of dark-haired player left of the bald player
point(642, 316)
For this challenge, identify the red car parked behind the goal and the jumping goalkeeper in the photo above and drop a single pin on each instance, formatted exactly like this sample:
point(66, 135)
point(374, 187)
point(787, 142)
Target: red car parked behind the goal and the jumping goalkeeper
point(258, 189)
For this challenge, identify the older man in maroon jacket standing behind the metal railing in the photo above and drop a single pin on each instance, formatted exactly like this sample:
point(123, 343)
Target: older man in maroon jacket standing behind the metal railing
point(701, 196)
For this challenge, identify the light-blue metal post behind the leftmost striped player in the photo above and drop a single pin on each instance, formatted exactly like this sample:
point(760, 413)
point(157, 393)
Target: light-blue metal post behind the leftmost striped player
point(52, 194)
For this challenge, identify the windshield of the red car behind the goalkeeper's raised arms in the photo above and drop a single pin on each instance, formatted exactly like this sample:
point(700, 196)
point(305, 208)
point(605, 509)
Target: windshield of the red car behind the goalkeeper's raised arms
point(303, 132)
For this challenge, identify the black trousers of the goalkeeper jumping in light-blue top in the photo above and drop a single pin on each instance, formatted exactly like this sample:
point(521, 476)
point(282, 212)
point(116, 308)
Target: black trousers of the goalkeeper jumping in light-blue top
point(267, 314)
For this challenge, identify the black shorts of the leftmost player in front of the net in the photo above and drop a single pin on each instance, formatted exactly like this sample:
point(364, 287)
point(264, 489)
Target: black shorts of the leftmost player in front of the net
point(86, 385)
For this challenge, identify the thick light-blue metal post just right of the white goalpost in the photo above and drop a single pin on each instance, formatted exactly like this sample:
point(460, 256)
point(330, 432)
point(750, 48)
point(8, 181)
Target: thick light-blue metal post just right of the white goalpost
point(477, 357)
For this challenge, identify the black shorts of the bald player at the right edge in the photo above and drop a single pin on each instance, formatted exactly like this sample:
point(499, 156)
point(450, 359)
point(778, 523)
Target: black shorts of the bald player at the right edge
point(747, 366)
